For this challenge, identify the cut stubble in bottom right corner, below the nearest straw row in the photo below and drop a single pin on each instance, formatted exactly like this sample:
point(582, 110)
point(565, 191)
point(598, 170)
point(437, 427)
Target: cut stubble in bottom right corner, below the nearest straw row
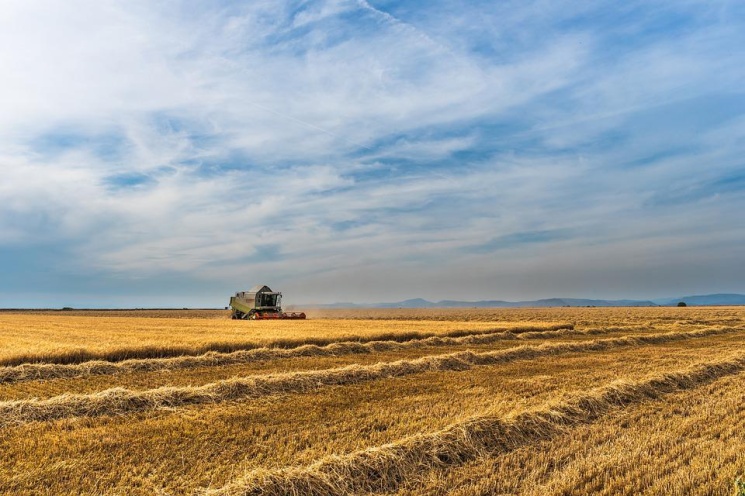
point(689, 444)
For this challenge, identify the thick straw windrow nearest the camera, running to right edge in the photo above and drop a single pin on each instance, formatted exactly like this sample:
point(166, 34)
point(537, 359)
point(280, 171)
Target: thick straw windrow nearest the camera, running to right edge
point(385, 468)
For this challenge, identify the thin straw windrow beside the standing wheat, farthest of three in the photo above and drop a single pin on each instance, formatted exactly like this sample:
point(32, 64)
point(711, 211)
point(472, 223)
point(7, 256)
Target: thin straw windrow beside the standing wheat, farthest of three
point(46, 371)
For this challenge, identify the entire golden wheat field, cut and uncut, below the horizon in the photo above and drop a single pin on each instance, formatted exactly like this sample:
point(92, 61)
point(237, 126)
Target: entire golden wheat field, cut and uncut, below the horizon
point(407, 402)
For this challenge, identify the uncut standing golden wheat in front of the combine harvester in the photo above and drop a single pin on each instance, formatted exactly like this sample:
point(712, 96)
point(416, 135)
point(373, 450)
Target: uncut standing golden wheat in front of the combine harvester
point(61, 338)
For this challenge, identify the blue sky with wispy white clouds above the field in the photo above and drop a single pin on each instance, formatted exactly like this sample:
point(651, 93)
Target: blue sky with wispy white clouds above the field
point(157, 154)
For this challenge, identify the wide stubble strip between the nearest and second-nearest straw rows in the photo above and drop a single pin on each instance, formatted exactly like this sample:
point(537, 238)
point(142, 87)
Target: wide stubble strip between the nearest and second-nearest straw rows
point(177, 451)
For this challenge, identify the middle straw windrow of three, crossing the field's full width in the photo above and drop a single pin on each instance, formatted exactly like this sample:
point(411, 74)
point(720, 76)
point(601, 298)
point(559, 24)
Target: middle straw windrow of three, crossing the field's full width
point(120, 401)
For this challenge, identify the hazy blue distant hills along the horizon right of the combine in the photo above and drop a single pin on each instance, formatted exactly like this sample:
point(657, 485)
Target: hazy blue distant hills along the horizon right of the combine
point(696, 300)
